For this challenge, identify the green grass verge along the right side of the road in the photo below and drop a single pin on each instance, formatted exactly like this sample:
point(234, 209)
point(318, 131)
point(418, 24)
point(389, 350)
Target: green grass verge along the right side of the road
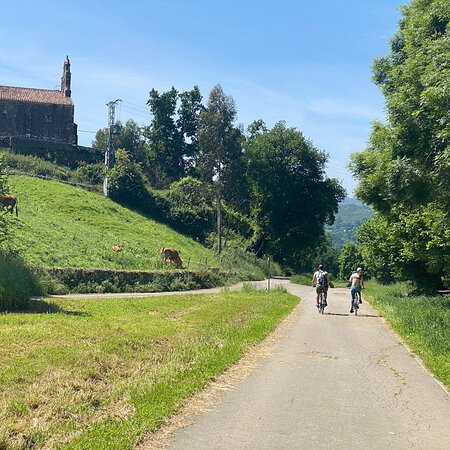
point(423, 322)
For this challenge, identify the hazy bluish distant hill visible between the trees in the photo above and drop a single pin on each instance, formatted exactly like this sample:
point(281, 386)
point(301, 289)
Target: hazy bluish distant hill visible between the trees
point(352, 213)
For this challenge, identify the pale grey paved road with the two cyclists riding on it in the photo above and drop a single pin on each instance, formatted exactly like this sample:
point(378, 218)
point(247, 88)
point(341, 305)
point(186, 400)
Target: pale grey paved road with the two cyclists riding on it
point(332, 382)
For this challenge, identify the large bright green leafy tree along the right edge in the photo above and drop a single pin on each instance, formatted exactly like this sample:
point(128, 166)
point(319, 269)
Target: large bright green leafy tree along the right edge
point(405, 172)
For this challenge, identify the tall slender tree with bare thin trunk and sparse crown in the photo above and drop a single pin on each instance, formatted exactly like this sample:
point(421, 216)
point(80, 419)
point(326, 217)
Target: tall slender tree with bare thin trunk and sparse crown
point(218, 146)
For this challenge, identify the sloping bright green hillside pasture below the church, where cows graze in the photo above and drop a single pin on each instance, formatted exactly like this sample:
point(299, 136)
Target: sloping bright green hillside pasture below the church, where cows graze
point(64, 226)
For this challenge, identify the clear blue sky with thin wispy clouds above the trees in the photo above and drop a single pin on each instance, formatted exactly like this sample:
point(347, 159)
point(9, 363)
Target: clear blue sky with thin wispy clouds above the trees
point(305, 62)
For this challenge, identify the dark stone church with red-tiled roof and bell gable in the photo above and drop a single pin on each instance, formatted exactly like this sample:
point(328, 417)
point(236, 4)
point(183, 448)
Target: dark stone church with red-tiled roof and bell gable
point(42, 114)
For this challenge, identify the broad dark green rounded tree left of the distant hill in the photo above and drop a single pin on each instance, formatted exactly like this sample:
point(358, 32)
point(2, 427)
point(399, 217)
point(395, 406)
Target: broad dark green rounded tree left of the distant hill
point(291, 197)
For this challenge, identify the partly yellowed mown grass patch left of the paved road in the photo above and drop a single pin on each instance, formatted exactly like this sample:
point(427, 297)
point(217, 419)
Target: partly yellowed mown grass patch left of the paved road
point(100, 374)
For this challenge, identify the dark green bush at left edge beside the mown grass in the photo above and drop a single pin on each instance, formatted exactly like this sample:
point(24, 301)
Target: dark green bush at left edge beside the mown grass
point(17, 283)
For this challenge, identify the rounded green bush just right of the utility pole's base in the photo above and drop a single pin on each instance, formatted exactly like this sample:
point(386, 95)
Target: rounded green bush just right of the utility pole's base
point(126, 182)
